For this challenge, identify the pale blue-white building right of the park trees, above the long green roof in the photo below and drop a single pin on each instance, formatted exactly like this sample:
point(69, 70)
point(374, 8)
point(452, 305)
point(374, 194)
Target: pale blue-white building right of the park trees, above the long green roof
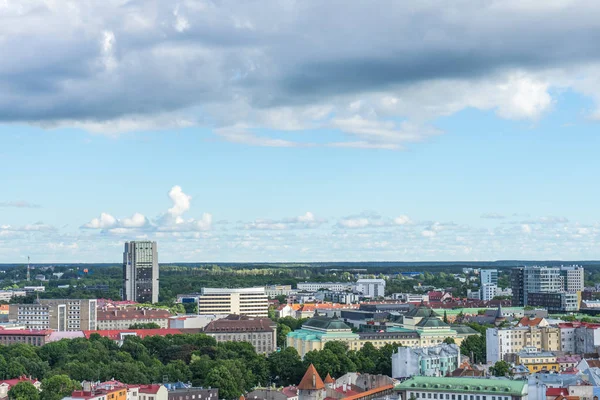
point(437, 360)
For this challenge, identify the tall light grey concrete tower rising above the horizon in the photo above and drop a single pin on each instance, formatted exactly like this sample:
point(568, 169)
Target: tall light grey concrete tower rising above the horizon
point(140, 272)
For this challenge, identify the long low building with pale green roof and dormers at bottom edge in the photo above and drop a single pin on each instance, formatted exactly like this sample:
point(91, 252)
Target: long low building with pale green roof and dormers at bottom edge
point(421, 387)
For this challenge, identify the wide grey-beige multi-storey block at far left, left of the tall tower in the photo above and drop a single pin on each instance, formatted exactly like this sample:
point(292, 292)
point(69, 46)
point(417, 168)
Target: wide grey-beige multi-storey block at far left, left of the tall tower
point(56, 314)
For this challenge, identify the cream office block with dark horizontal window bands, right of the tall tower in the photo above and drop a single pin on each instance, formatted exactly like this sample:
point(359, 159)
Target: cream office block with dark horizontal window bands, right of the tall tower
point(252, 302)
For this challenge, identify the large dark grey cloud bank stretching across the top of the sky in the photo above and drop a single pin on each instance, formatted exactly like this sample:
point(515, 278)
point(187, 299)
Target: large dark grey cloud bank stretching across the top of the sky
point(222, 63)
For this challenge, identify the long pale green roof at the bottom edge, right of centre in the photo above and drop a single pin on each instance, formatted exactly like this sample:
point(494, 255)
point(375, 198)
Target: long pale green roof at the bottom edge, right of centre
point(504, 387)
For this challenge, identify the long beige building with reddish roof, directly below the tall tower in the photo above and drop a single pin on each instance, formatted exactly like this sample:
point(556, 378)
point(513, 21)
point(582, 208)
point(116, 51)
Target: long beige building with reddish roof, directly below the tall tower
point(123, 319)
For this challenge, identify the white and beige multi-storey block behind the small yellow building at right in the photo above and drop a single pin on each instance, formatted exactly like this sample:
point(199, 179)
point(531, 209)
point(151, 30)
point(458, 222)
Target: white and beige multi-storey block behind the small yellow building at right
point(503, 344)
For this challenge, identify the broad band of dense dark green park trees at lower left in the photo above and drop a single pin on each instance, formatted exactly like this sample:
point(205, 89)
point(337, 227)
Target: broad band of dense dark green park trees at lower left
point(234, 367)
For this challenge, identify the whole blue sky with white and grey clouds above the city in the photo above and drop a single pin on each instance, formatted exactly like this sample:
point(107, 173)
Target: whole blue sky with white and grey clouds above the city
point(293, 131)
